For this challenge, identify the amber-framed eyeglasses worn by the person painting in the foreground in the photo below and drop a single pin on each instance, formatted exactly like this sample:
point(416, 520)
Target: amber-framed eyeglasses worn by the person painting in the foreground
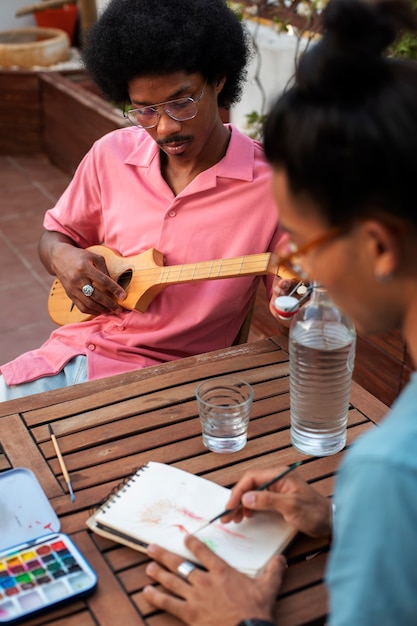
point(292, 258)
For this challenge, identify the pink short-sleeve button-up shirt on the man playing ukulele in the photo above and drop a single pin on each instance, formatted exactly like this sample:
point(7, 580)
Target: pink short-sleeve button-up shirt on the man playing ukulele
point(119, 199)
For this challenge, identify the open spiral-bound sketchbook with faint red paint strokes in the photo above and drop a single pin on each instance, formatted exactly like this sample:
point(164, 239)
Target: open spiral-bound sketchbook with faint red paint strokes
point(161, 503)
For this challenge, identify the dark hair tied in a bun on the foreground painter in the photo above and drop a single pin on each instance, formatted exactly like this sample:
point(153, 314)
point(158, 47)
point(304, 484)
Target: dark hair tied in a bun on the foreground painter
point(346, 130)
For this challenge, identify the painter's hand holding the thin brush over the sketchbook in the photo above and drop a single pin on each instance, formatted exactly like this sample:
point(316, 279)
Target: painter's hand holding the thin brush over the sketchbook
point(298, 503)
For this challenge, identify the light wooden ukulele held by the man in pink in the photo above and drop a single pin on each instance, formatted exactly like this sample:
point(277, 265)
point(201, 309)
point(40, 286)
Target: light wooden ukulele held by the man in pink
point(144, 276)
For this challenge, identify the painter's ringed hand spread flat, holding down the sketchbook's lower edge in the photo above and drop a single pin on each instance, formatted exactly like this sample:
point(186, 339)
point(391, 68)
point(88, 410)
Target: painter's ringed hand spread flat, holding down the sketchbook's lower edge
point(220, 595)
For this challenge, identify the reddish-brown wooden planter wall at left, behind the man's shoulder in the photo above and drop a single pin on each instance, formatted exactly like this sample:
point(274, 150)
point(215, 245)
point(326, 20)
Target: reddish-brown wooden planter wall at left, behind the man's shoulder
point(52, 113)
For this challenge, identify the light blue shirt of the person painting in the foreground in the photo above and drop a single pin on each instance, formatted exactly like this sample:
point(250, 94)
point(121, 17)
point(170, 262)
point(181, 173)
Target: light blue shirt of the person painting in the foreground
point(372, 571)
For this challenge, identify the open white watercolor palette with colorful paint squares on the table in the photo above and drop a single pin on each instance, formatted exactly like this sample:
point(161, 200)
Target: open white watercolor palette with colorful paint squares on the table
point(40, 567)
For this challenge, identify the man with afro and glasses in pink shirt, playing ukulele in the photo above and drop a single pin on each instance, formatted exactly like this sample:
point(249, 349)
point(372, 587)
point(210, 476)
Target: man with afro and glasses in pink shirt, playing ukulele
point(178, 180)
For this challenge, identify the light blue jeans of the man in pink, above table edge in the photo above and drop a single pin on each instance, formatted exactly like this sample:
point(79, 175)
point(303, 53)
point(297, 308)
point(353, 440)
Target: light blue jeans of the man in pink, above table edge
point(73, 373)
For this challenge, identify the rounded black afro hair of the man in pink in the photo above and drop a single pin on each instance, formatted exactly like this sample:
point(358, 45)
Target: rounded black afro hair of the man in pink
point(134, 38)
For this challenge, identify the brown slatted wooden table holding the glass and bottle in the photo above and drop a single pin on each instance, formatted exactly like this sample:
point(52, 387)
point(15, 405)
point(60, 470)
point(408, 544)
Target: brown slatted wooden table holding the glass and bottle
point(108, 428)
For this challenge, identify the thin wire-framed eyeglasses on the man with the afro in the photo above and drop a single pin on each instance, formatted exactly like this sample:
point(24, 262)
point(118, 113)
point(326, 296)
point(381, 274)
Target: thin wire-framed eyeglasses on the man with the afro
point(180, 110)
